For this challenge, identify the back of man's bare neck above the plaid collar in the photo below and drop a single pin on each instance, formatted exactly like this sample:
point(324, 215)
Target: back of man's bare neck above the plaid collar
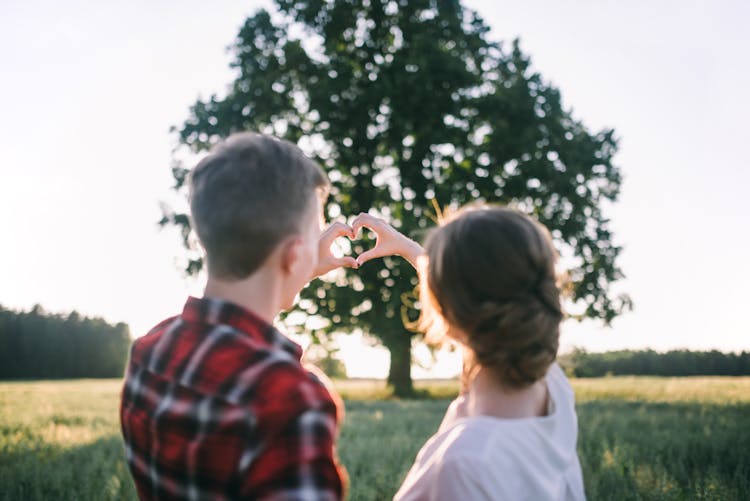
point(258, 293)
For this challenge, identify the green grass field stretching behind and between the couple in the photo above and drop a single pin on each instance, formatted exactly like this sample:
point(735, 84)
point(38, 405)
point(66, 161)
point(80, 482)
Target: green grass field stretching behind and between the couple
point(640, 438)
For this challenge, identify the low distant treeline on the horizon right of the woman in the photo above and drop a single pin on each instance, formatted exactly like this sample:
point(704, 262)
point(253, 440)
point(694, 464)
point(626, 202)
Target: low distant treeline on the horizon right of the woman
point(581, 363)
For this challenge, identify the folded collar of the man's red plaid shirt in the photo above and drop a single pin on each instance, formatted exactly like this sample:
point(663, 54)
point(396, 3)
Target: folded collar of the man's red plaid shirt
point(215, 311)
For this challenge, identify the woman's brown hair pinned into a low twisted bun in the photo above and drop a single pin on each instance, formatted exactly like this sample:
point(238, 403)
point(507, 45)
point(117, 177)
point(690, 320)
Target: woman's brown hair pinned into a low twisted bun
point(490, 282)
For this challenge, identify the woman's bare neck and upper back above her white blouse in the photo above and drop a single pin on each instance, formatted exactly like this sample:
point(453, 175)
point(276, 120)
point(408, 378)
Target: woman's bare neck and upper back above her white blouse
point(487, 396)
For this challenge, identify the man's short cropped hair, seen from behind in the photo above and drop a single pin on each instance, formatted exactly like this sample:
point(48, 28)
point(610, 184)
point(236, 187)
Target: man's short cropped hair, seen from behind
point(246, 196)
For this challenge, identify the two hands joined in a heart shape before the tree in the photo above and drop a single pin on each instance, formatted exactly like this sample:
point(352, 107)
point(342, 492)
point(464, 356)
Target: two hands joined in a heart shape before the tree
point(387, 241)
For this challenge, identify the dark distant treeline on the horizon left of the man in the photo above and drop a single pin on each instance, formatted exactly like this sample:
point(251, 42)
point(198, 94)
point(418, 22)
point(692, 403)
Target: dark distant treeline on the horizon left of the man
point(37, 344)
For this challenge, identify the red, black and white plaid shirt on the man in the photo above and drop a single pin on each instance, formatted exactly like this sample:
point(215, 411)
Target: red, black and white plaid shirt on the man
point(217, 406)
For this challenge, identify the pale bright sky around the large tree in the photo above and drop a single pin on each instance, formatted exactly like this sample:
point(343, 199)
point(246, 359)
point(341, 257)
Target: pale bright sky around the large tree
point(89, 90)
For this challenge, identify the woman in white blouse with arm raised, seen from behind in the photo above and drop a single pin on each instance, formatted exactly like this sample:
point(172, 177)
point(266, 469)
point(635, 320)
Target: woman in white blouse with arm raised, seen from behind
point(488, 282)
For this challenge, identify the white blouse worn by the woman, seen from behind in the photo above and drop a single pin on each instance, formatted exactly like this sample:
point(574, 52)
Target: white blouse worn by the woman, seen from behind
point(489, 458)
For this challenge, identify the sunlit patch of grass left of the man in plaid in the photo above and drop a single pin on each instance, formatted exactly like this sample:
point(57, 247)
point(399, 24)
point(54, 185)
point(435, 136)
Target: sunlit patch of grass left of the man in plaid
point(60, 440)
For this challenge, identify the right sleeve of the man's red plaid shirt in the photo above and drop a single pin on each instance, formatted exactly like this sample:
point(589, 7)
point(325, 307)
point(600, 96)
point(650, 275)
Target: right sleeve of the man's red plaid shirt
point(297, 459)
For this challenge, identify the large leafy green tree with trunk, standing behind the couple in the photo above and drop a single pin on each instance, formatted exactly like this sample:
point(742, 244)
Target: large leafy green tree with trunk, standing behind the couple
point(410, 106)
